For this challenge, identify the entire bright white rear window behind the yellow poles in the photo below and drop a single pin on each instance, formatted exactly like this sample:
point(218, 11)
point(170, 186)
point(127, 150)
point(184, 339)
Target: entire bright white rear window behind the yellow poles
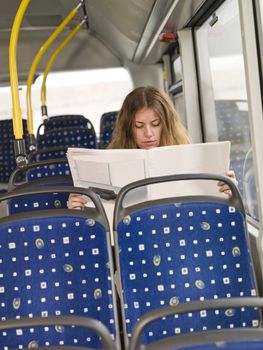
point(90, 93)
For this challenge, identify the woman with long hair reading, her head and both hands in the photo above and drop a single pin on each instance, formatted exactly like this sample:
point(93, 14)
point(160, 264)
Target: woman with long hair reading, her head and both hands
point(147, 119)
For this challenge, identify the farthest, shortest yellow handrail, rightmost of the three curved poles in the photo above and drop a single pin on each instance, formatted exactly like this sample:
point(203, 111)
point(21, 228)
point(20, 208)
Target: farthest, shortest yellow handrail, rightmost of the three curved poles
point(50, 63)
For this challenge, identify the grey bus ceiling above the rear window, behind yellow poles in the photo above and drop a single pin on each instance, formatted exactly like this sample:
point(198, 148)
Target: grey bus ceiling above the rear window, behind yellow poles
point(117, 32)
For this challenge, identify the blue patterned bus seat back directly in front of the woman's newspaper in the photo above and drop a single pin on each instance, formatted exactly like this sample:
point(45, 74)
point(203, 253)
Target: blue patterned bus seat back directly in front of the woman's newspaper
point(176, 250)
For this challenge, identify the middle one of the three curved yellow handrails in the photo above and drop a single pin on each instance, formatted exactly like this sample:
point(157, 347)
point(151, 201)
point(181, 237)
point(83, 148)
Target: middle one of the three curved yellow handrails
point(37, 58)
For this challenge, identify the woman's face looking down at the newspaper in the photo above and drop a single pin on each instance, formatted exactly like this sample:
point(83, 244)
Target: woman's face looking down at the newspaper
point(147, 129)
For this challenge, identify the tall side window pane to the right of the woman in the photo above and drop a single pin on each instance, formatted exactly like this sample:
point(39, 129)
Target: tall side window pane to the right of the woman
point(223, 93)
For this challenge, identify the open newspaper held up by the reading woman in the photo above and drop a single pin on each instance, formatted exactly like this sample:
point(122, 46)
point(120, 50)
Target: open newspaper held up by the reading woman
point(112, 169)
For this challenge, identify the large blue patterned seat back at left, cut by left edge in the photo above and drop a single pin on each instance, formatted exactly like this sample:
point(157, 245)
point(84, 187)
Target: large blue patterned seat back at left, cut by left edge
point(56, 263)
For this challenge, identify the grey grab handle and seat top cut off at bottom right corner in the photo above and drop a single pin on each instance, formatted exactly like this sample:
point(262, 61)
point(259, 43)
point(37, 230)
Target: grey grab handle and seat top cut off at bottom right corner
point(230, 339)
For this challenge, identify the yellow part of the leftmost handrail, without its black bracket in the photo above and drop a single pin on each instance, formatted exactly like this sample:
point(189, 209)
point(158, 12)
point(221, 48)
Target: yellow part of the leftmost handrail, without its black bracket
point(16, 109)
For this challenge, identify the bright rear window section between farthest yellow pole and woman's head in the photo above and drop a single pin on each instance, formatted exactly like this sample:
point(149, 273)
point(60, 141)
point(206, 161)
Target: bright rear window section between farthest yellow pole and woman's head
point(90, 92)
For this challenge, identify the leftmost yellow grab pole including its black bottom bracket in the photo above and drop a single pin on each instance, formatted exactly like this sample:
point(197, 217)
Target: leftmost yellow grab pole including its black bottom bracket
point(19, 142)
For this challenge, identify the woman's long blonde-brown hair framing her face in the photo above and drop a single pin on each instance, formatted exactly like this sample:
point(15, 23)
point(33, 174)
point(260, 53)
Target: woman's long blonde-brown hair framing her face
point(173, 131)
